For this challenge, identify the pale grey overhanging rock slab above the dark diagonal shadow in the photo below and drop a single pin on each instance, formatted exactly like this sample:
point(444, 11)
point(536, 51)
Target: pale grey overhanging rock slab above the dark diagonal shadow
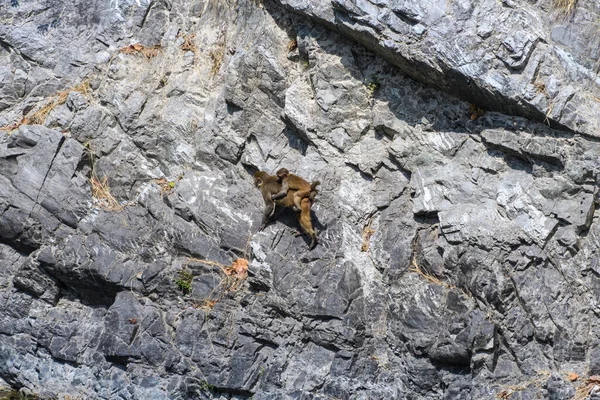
point(531, 58)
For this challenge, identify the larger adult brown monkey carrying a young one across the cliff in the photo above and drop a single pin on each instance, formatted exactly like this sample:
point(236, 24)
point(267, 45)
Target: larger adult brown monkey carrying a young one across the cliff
point(269, 185)
